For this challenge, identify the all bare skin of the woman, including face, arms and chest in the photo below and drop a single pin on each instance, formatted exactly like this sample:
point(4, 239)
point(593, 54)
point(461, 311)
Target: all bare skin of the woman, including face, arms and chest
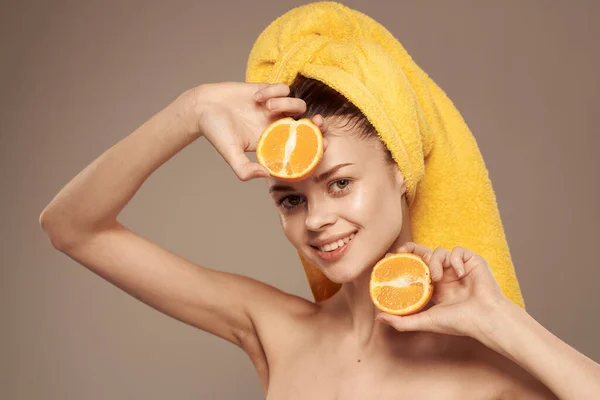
point(470, 342)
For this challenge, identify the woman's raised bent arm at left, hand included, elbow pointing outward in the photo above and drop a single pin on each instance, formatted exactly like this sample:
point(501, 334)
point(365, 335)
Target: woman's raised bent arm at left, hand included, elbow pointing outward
point(81, 221)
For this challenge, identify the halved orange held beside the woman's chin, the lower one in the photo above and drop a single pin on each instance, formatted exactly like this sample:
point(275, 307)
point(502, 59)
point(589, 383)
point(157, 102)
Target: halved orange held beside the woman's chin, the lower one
point(401, 284)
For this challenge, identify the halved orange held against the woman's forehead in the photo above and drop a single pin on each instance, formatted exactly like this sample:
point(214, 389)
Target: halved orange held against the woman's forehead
point(290, 149)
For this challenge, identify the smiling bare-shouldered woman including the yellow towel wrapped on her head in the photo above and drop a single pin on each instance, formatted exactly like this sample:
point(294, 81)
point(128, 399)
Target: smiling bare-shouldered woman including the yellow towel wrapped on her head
point(400, 164)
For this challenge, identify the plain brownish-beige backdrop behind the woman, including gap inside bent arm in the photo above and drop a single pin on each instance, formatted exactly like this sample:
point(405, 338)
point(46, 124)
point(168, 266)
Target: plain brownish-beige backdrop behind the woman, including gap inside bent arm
point(78, 76)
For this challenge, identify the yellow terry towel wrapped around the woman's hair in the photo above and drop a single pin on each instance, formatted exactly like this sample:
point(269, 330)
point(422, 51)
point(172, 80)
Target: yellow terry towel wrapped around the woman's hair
point(450, 196)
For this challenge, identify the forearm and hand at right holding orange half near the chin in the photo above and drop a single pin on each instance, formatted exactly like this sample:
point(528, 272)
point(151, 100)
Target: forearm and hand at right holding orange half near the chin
point(469, 302)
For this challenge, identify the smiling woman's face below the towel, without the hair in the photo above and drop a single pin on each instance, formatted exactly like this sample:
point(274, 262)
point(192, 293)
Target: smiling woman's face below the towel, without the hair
point(347, 214)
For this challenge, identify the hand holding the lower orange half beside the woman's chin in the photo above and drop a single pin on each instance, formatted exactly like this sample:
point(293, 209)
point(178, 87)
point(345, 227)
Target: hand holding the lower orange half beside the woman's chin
point(465, 293)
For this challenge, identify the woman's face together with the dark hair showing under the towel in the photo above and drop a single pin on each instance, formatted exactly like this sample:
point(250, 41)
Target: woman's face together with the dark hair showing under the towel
point(359, 176)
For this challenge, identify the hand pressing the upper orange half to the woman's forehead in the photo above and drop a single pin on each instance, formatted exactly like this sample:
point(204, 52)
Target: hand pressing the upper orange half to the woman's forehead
point(233, 115)
